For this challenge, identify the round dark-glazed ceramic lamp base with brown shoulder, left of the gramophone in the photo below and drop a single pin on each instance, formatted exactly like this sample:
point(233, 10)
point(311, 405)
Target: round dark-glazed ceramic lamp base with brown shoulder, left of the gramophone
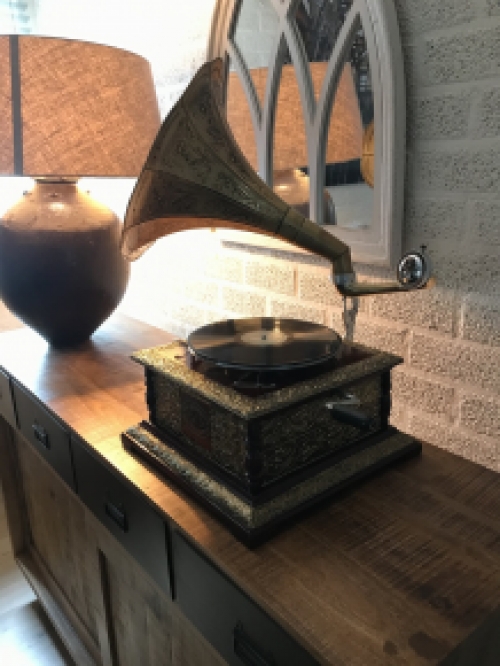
point(61, 269)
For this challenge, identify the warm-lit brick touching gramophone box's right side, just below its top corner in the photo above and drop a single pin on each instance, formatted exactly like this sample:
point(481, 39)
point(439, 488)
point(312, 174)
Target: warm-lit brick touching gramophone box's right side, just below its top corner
point(422, 394)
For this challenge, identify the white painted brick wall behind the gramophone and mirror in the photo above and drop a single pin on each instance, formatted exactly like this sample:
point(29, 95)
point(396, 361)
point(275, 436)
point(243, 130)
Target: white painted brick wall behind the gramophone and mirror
point(448, 390)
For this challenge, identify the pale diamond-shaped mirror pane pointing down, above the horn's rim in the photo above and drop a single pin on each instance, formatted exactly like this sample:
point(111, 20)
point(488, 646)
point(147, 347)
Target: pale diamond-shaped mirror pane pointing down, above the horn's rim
point(256, 16)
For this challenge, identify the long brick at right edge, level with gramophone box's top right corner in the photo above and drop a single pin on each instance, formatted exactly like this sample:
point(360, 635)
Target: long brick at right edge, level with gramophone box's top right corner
point(467, 363)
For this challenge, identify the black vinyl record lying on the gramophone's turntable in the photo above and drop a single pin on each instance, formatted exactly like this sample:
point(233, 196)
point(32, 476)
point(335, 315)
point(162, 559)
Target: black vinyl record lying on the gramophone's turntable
point(265, 343)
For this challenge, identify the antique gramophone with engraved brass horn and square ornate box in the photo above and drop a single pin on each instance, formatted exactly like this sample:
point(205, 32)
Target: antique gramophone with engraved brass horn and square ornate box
point(257, 418)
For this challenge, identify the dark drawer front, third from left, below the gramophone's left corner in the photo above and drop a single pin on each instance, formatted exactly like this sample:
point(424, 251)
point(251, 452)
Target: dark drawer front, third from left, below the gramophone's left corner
point(124, 513)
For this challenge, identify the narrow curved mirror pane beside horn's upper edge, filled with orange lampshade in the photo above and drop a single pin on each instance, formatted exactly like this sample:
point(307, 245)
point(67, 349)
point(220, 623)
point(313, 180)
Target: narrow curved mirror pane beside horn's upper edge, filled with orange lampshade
point(239, 117)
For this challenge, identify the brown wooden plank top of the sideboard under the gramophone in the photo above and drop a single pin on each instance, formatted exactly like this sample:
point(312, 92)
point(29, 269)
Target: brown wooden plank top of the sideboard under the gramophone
point(397, 571)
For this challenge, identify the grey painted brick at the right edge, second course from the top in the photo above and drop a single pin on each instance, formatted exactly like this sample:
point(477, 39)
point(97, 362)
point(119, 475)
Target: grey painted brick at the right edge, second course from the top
point(469, 55)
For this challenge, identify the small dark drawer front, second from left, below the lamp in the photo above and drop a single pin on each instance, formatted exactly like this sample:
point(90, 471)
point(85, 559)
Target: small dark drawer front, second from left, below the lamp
point(46, 434)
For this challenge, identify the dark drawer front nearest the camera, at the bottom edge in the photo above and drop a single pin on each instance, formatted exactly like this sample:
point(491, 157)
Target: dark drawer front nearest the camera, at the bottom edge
point(237, 628)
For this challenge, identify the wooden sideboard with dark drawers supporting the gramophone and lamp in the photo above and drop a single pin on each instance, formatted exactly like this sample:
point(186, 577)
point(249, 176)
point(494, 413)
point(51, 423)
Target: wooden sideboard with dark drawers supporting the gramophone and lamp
point(399, 570)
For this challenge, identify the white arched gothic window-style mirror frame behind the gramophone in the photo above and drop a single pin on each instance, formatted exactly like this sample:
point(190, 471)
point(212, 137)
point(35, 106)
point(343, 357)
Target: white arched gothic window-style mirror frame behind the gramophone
point(380, 242)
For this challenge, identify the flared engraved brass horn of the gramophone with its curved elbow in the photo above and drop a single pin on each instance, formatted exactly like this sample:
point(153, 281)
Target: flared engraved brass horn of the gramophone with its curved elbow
point(196, 176)
